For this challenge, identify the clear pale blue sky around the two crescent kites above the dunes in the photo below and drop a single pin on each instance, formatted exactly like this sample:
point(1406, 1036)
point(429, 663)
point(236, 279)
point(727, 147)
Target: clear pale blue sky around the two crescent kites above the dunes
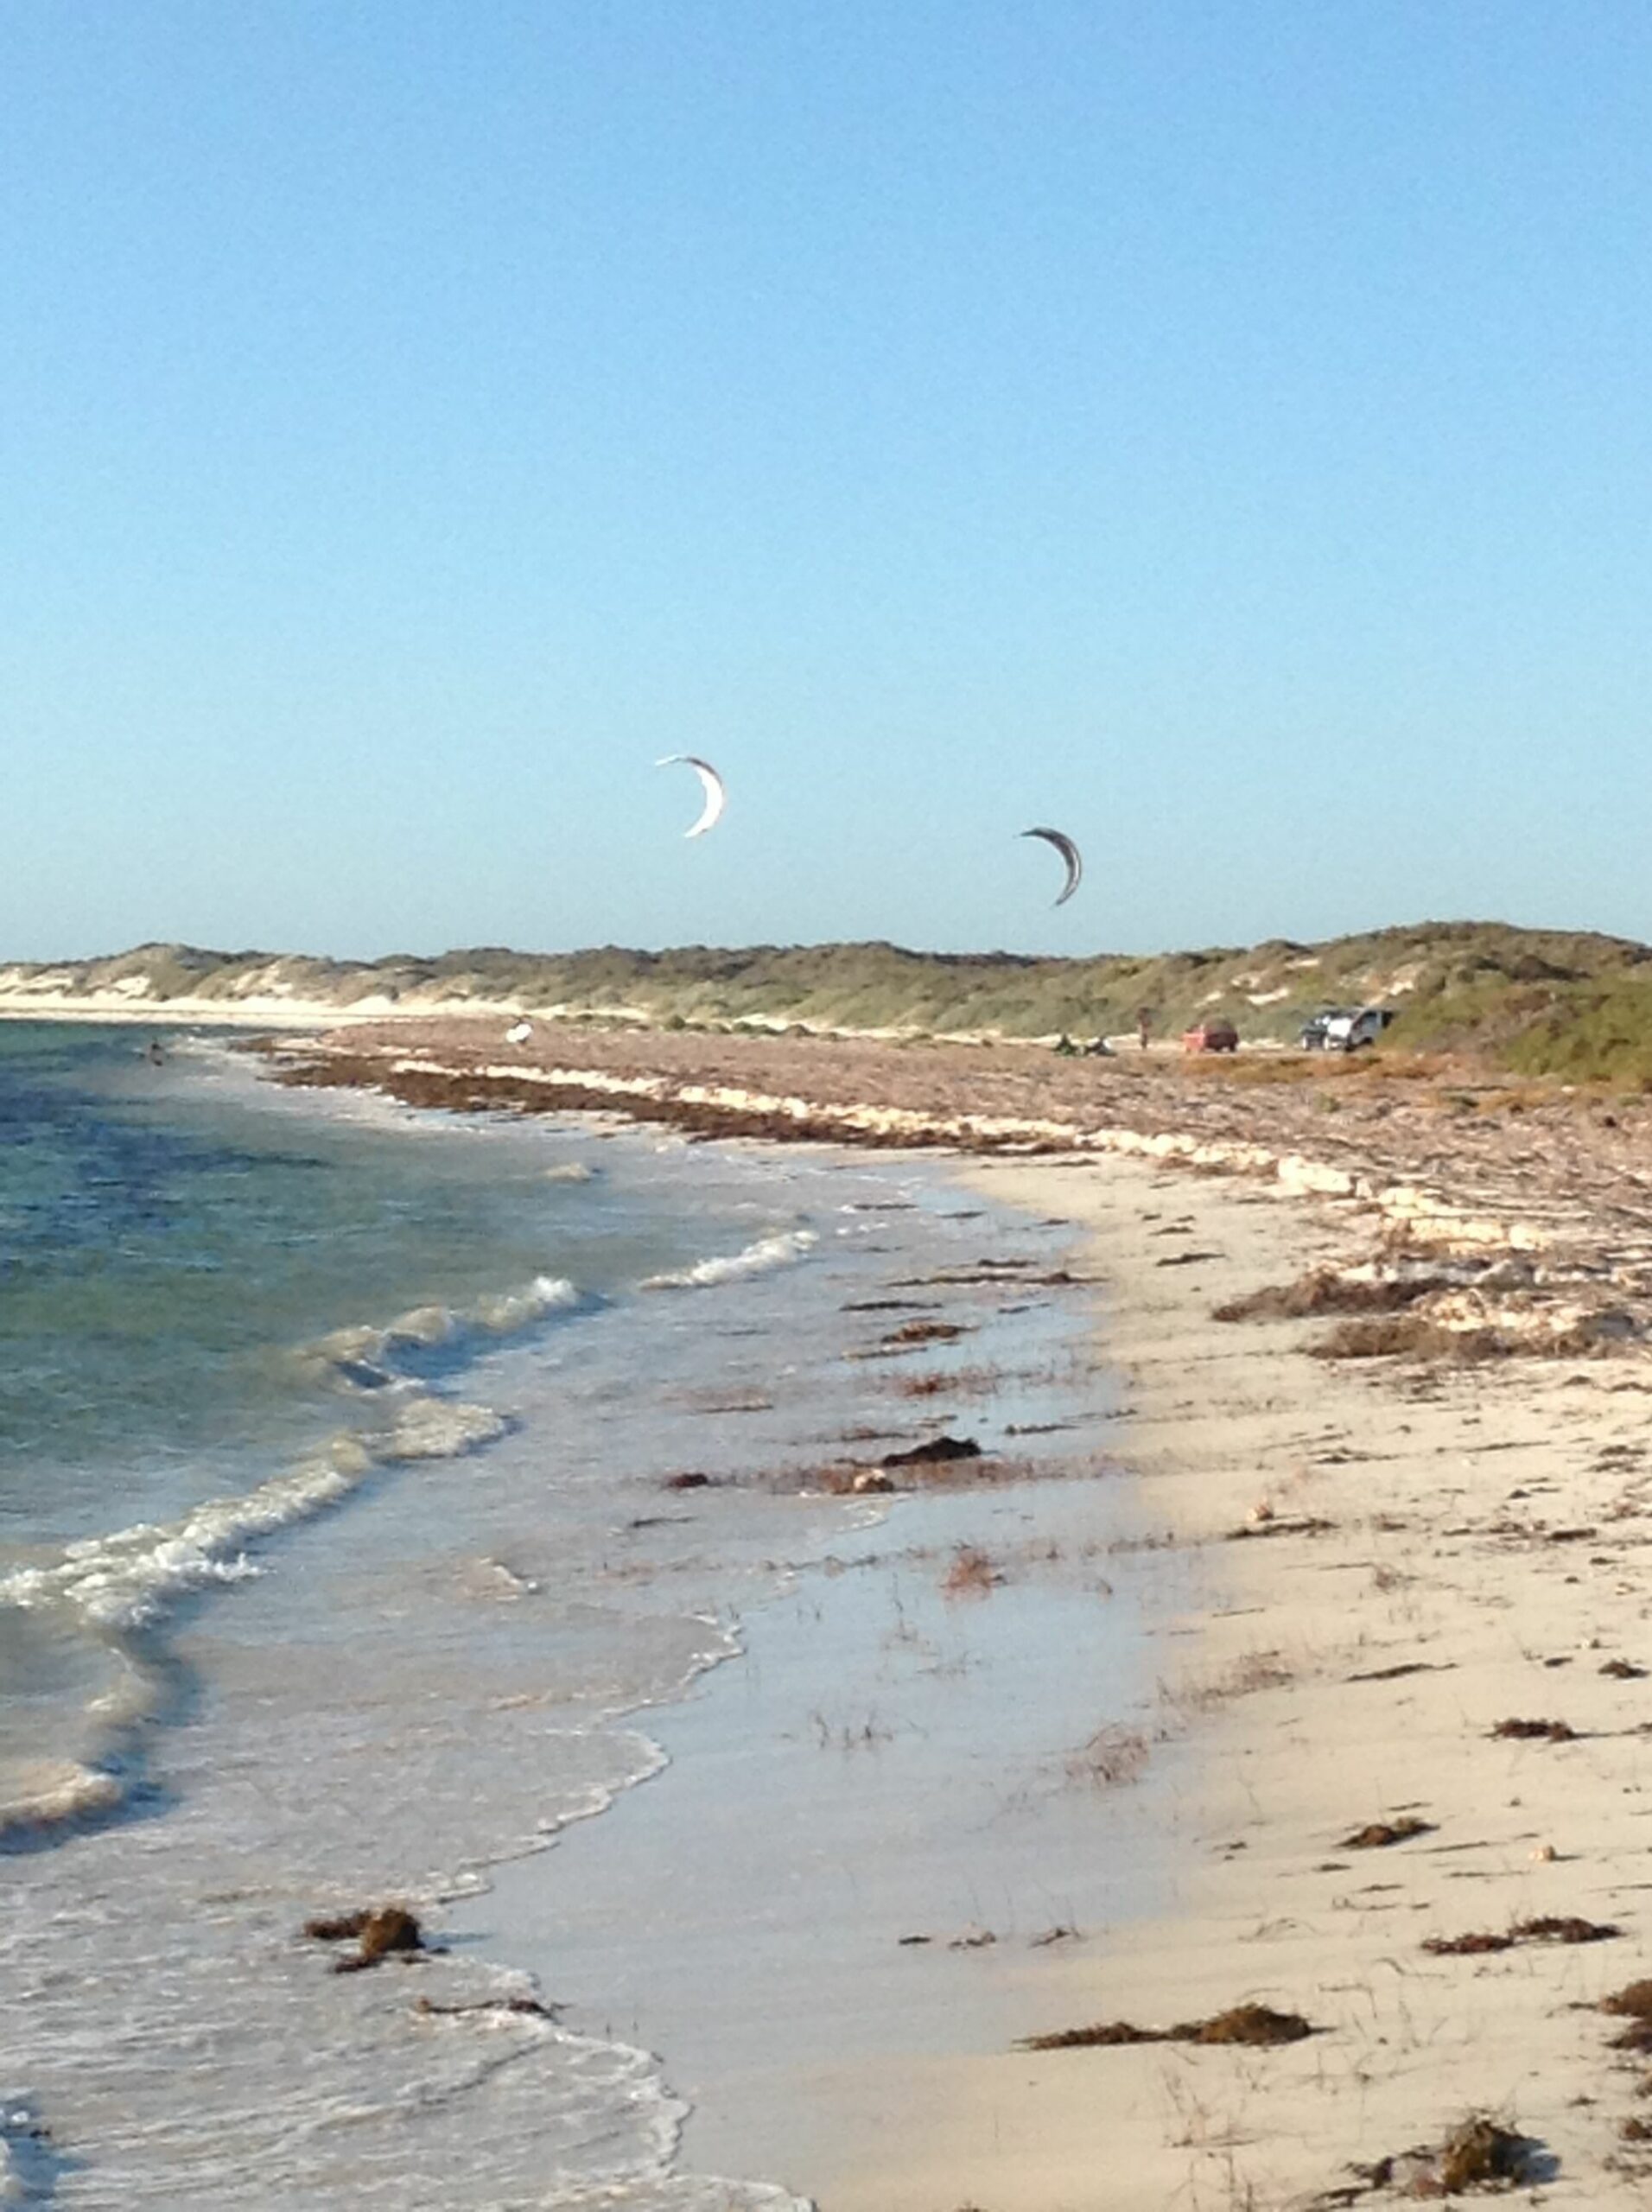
point(1220, 428)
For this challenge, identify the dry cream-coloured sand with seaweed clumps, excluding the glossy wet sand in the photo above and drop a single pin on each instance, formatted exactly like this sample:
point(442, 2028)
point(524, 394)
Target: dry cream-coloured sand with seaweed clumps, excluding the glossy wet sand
point(1439, 1496)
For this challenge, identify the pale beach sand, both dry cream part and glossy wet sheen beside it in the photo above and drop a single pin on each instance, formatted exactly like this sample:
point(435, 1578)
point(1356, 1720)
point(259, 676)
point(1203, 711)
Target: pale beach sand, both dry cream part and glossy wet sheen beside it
point(883, 1764)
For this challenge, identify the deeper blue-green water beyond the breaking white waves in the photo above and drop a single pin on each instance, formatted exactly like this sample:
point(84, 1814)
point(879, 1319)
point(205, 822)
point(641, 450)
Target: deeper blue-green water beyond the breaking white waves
point(167, 1251)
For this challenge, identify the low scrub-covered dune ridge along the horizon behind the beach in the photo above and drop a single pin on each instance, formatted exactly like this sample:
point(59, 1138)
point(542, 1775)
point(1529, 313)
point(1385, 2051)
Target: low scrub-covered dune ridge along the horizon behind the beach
point(1540, 1001)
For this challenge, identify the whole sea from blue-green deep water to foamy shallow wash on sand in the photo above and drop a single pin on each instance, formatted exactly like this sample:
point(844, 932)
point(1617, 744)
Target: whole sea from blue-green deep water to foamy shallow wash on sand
point(339, 1563)
